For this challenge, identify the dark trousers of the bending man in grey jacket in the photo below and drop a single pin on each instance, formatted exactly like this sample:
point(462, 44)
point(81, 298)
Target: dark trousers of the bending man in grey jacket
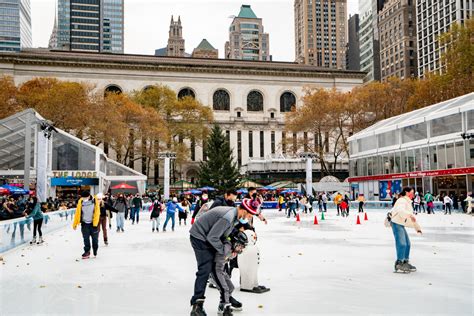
point(205, 255)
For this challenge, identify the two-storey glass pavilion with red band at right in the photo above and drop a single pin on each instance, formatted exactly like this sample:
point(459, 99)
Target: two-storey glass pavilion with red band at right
point(430, 149)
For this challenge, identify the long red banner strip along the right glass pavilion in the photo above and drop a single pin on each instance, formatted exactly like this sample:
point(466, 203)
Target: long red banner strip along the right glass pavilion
point(415, 174)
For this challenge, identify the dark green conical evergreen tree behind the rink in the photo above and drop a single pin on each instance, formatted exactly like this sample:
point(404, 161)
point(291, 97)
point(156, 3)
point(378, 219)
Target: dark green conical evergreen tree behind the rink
point(220, 170)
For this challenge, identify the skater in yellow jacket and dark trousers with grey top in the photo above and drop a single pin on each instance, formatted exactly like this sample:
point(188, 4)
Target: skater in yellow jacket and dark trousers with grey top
point(88, 215)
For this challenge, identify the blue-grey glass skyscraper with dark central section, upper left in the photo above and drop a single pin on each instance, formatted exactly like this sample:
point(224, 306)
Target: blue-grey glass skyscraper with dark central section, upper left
point(89, 25)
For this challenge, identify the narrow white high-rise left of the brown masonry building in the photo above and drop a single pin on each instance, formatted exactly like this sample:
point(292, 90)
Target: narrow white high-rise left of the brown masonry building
point(369, 38)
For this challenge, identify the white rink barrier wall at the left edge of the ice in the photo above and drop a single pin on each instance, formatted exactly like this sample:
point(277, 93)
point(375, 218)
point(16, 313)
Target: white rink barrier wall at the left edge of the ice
point(19, 231)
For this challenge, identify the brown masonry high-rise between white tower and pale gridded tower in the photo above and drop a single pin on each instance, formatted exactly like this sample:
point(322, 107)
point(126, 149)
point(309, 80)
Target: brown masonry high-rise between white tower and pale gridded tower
point(397, 28)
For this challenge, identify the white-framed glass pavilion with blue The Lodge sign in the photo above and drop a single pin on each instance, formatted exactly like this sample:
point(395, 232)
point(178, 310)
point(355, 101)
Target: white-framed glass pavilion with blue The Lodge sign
point(53, 163)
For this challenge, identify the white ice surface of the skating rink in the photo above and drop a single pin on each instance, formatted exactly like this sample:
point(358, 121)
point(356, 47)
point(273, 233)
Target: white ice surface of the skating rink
point(334, 268)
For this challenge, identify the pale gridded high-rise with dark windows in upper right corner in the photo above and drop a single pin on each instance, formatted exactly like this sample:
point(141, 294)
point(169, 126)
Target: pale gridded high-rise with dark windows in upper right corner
point(432, 19)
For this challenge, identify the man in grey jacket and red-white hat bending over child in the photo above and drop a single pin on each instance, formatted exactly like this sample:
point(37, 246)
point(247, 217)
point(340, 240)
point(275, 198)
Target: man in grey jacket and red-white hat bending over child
point(207, 235)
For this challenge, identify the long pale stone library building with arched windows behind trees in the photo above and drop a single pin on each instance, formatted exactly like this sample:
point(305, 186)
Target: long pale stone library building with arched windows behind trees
point(249, 99)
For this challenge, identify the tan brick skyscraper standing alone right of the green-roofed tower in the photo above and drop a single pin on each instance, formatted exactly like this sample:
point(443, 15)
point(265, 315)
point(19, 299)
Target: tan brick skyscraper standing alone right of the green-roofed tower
point(321, 33)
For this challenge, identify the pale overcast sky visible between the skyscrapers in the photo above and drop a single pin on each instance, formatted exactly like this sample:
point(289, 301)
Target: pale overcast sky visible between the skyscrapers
point(147, 23)
